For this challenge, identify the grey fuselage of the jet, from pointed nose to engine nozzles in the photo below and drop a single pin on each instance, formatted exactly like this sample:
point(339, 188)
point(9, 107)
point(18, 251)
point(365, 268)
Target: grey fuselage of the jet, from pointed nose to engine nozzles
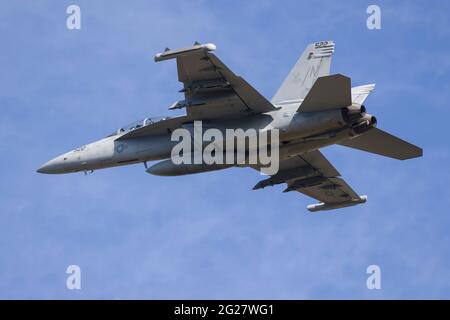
point(298, 132)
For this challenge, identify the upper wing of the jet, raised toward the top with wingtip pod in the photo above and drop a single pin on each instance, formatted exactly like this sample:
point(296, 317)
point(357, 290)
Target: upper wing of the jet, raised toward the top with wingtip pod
point(211, 90)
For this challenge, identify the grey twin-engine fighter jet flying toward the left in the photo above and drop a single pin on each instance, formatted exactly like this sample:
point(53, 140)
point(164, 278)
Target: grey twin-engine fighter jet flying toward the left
point(312, 109)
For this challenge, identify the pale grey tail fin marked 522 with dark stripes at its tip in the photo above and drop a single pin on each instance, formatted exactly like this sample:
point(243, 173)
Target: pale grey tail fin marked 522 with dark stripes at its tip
point(314, 62)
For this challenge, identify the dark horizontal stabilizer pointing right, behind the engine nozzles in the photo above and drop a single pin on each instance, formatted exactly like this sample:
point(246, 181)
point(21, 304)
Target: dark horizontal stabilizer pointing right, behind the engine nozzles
point(379, 142)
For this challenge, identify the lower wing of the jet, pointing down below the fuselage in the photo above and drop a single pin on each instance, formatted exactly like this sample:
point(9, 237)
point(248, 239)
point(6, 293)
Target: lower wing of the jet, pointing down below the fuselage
point(313, 175)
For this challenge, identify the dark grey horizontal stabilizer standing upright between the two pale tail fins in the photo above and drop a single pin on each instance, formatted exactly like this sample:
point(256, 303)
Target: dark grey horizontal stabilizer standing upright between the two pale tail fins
point(327, 93)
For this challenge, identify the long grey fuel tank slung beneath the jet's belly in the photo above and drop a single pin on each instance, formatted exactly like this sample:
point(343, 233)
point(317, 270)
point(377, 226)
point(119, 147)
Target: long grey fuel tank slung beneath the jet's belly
point(168, 168)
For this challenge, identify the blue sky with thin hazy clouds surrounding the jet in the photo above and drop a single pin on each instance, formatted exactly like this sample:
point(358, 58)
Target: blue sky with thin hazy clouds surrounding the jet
point(138, 236)
